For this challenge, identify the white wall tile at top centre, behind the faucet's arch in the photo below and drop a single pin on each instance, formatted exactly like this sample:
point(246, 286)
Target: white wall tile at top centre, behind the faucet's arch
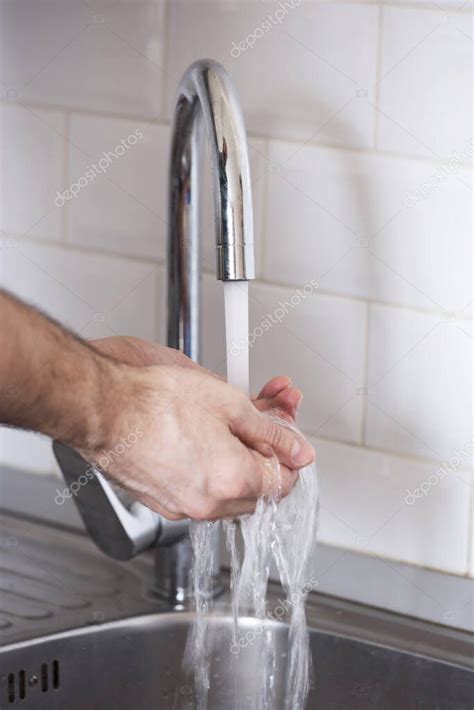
point(307, 77)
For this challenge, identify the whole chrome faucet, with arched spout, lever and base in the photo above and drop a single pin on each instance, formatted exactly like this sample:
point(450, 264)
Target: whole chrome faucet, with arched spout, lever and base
point(206, 101)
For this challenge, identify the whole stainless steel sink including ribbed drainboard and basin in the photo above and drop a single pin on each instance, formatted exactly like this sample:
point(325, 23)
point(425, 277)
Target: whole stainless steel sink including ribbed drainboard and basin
point(80, 632)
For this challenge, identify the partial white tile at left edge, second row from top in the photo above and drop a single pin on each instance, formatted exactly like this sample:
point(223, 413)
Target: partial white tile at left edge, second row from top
point(31, 143)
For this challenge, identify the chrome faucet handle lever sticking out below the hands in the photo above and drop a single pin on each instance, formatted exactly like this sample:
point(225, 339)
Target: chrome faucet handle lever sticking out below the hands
point(119, 531)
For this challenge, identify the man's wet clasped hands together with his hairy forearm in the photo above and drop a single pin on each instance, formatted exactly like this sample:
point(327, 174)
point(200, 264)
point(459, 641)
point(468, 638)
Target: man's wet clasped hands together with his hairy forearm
point(185, 442)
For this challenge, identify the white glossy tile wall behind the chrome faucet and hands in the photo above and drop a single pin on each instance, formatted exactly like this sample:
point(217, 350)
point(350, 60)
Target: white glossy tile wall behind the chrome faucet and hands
point(354, 110)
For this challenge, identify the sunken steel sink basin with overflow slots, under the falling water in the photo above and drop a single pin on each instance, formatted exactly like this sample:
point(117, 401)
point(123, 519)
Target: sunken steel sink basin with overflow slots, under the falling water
point(135, 664)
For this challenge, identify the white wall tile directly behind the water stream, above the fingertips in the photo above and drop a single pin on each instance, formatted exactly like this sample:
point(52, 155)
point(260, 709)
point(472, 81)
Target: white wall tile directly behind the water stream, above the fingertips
point(319, 343)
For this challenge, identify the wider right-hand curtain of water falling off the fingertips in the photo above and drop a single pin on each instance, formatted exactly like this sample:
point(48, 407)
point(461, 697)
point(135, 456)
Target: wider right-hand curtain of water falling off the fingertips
point(283, 532)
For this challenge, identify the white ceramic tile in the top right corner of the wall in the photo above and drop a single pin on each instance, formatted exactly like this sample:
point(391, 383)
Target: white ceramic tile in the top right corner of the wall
point(425, 82)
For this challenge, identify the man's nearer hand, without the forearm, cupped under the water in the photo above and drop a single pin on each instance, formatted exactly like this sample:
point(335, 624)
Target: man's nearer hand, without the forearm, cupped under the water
point(204, 448)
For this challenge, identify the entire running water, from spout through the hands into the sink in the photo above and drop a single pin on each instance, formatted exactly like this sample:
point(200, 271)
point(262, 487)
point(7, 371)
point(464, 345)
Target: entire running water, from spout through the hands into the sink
point(282, 534)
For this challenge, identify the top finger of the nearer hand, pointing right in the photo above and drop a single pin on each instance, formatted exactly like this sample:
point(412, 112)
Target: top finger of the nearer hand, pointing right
point(259, 431)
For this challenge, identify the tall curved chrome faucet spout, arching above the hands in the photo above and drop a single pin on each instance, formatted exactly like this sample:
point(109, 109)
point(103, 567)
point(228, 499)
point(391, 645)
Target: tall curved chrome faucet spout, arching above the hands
point(206, 100)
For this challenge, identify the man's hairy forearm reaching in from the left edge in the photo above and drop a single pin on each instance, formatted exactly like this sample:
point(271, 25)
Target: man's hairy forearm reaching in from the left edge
point(50, 380)
